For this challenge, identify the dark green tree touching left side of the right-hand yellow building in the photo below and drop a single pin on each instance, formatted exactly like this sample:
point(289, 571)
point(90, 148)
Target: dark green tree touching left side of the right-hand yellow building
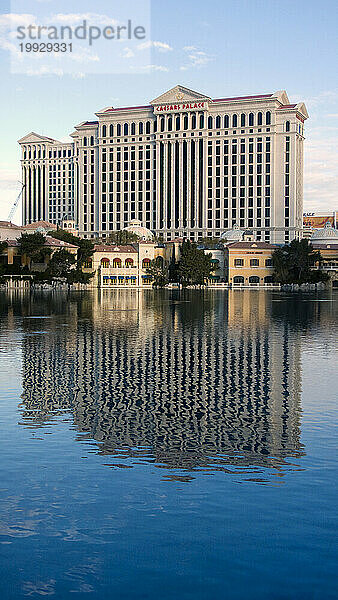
point(194, 266)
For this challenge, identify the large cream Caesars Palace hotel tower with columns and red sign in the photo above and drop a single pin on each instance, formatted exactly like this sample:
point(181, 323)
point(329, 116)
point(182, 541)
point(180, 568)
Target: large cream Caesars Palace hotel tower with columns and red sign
point(185, 165)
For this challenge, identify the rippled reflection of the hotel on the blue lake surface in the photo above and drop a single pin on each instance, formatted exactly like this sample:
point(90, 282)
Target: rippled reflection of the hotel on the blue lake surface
point(188, 381)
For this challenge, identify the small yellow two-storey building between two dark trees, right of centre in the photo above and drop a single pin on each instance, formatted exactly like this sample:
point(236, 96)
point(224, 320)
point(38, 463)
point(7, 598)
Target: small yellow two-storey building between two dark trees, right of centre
point(249, 263)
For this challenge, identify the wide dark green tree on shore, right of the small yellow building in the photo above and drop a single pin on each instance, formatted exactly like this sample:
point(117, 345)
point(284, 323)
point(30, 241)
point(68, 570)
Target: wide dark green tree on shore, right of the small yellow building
point(293, 263)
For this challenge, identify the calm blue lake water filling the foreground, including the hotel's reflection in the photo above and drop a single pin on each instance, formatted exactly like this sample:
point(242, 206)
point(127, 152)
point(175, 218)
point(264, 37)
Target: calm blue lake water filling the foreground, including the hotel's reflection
point(158, 445)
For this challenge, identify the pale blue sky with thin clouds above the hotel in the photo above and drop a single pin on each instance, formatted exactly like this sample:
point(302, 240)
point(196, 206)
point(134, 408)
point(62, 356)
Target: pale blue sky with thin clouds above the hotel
point(222, 48)
